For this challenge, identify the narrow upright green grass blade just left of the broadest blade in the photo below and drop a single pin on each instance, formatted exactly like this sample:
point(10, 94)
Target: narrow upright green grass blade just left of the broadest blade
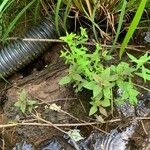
point(120, 22)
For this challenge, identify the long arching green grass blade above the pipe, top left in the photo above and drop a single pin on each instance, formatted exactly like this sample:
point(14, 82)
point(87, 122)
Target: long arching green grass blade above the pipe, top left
point(12, 24)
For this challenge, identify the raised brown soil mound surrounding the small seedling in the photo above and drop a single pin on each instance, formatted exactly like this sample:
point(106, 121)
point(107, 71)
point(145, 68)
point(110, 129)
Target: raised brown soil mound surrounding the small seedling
point(42, 86)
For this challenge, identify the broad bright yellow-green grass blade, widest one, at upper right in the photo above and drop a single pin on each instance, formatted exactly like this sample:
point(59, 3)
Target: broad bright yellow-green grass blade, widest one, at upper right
point(133, 26)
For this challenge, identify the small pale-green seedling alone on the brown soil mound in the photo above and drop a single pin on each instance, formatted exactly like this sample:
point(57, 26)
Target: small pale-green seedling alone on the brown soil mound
point(23, 103)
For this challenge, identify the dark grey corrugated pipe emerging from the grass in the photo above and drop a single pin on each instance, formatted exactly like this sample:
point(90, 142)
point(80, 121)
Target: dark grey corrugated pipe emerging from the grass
point(20, 53)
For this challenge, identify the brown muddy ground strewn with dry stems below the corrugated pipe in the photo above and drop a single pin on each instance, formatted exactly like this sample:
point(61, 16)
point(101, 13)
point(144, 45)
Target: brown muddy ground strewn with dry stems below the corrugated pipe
point(40, 80)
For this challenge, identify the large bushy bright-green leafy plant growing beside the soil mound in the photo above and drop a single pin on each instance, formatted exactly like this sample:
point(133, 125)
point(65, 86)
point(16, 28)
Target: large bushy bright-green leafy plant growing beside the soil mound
point(87, 70)
